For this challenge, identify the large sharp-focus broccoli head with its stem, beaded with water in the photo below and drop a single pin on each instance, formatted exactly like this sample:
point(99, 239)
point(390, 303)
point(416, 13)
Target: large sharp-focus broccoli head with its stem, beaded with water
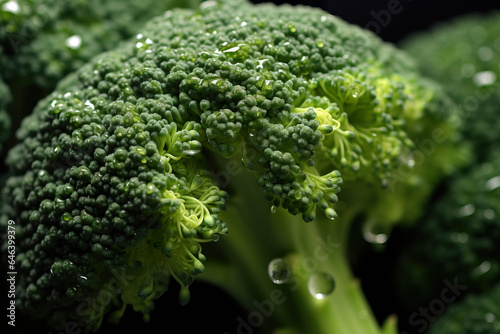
point(234, 117)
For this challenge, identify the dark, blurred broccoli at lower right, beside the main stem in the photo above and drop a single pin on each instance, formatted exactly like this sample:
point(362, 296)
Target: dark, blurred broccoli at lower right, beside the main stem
point(458, 238)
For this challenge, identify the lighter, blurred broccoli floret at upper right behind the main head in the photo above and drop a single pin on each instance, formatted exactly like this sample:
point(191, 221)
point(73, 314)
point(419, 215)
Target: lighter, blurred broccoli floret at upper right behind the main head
point(464, 55)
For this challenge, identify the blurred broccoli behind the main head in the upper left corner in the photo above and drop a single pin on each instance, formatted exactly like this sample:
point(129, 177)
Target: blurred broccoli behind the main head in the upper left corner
point(44, 40)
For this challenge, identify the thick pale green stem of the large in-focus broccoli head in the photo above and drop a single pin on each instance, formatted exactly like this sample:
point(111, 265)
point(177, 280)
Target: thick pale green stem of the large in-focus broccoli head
point(257, 236)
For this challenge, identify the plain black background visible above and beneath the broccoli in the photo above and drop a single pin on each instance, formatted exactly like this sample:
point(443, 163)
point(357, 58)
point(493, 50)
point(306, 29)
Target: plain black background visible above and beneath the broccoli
point(210, 309)
